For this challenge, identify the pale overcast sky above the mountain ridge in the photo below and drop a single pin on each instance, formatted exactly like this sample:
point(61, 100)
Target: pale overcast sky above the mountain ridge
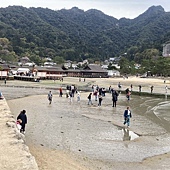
point(115, 8)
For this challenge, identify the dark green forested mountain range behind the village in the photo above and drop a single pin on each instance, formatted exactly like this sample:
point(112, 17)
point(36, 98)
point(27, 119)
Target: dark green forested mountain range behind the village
point(76, 34)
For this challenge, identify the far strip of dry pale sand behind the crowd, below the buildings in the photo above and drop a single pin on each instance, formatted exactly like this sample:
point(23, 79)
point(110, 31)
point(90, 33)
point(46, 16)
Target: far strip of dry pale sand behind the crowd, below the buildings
point(158, 91)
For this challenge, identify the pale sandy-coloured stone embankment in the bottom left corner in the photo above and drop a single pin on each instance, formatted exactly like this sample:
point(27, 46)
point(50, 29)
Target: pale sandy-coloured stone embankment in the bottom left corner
point(14, 153)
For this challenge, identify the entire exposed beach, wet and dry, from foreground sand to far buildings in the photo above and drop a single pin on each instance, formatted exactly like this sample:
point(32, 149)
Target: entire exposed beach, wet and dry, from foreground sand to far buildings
point(76, 136)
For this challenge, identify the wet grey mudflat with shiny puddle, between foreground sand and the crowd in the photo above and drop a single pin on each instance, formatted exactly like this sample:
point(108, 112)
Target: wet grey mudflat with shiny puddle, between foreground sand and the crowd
point(96, 132)
